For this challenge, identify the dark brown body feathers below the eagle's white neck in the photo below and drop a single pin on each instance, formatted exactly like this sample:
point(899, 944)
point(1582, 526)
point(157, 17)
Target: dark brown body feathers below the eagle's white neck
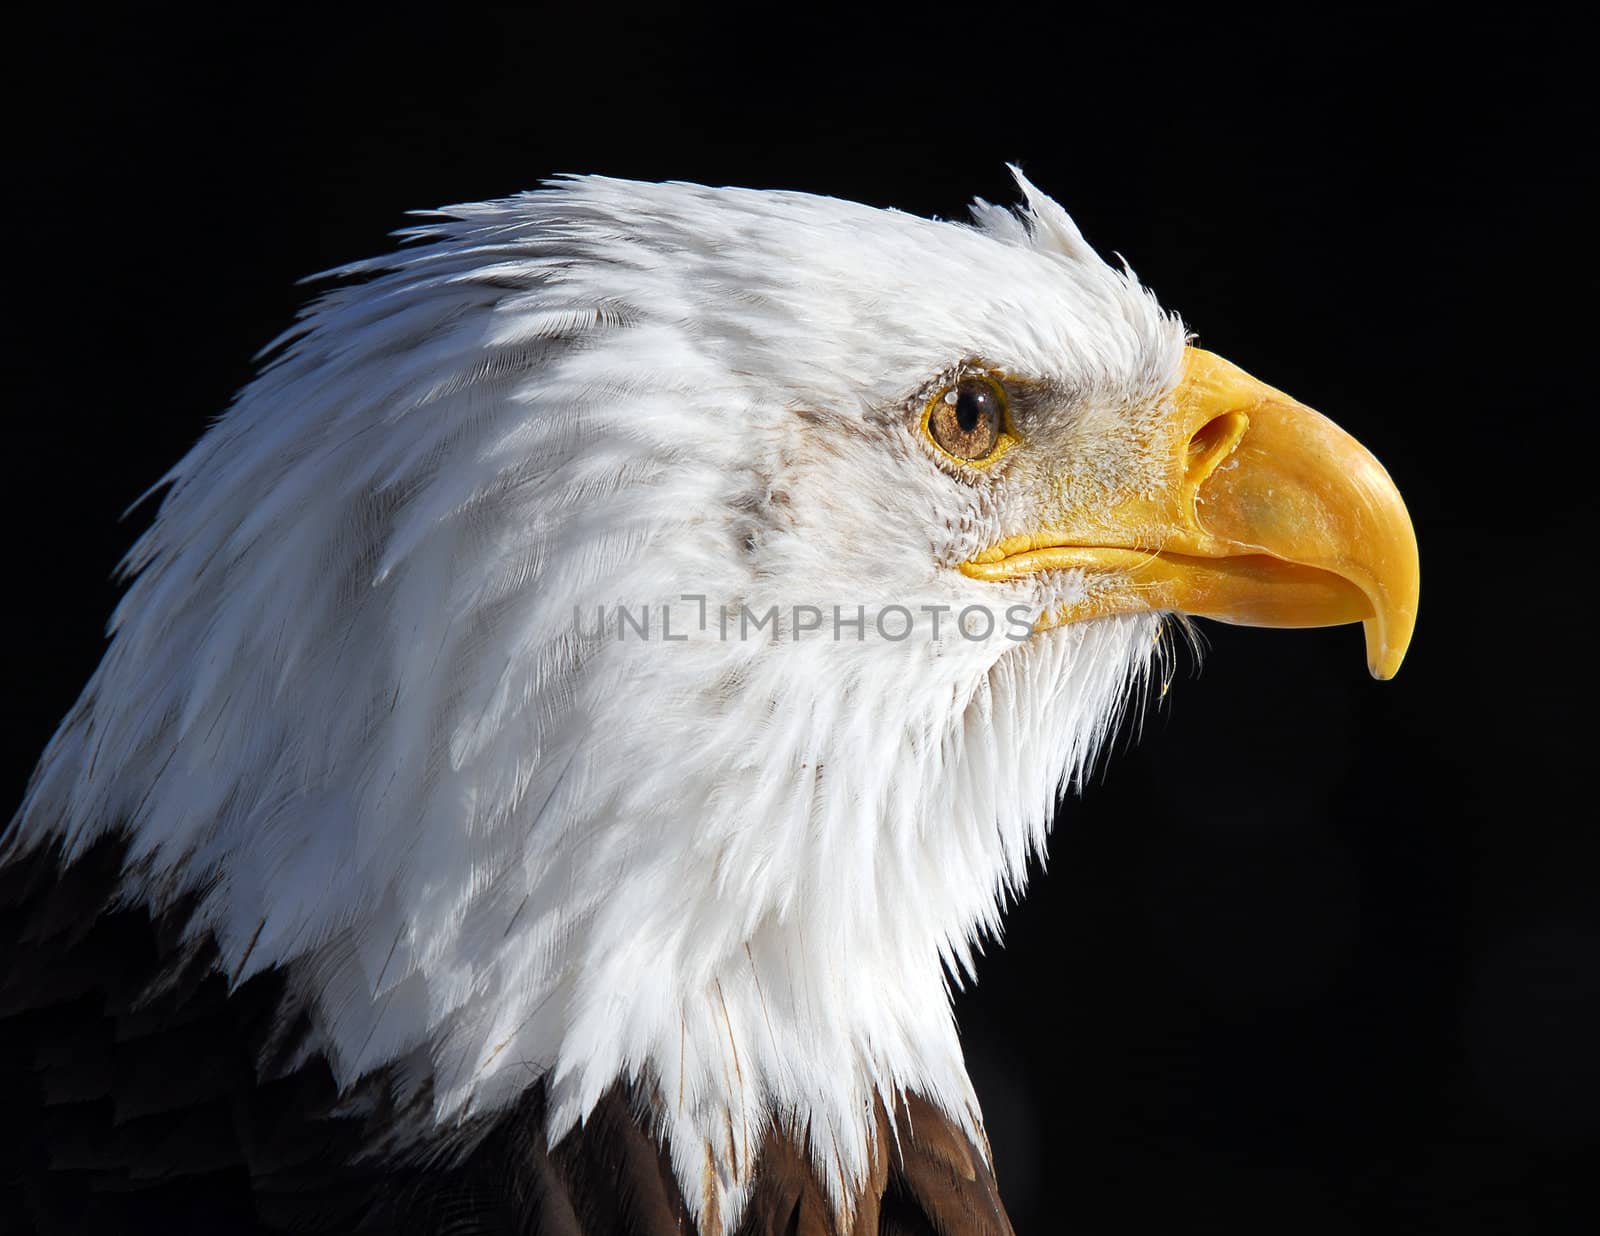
point(150, 1099)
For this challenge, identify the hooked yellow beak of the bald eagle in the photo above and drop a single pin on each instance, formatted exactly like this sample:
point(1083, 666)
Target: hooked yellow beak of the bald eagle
point(1271, 516)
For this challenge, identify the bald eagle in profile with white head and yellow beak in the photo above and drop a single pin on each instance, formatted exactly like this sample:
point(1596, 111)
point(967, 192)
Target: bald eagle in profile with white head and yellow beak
point(575, 716)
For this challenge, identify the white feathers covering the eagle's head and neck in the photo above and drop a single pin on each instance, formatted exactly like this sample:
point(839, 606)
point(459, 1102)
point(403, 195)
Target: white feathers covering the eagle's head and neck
point(350, 705)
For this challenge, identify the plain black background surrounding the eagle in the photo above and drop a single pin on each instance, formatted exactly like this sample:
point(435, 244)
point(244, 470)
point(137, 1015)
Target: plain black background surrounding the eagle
point(1314, 955)
